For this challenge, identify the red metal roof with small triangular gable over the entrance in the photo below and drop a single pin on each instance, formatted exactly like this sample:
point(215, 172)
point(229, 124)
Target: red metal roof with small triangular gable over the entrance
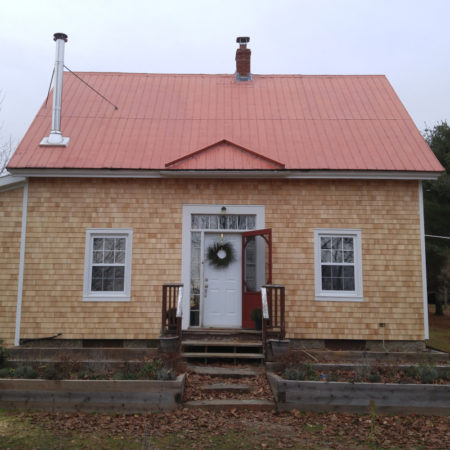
point(215, 122)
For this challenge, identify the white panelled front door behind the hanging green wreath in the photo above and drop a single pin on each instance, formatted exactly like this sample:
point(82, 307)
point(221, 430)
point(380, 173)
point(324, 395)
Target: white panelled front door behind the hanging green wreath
point(222, 290)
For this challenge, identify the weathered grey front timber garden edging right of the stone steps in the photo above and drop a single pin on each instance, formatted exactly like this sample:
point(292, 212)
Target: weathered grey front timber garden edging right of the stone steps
point(431, 399)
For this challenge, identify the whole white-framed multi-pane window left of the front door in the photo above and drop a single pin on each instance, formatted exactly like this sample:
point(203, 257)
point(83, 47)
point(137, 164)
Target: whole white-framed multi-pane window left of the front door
point(107, 273)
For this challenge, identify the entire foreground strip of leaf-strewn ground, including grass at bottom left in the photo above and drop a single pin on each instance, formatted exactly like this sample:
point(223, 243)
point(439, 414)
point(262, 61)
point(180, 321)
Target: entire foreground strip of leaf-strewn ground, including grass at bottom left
point(186, 428)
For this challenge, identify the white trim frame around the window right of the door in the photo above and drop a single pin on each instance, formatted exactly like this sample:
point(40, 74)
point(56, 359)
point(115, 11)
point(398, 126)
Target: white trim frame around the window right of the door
point(342, 296)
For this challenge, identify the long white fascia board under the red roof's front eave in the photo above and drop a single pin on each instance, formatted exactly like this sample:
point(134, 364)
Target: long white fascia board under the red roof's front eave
point(285, 174)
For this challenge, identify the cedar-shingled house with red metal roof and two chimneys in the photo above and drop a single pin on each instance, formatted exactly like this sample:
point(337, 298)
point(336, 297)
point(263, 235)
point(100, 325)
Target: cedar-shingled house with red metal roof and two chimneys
point(172, 186)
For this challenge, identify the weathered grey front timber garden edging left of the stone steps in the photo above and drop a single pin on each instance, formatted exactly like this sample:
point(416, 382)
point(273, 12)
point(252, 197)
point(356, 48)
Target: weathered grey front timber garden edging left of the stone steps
point(125, 396)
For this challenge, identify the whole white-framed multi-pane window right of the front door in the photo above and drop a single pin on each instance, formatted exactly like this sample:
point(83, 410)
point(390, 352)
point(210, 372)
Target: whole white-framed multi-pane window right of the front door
point(338, 266)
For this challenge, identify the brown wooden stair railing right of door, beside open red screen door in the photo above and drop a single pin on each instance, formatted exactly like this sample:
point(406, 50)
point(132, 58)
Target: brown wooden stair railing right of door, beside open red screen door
point(273, 311)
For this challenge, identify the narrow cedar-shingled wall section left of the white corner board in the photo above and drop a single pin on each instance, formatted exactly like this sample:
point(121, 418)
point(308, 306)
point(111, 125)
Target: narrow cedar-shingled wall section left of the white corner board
point(10, 231)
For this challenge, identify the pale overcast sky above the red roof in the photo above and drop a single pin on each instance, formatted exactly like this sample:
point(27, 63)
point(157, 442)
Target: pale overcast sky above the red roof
point(407, 40)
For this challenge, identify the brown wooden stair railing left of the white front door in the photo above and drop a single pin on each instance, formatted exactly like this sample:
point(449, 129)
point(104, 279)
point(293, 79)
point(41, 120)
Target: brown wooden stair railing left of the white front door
point(171, 309)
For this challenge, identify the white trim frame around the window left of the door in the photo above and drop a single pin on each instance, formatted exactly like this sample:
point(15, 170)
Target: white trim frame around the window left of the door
point(90, 296)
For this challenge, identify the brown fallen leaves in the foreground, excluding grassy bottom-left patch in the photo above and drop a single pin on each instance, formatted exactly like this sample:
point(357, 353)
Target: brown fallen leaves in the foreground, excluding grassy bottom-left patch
point(267, 429)
